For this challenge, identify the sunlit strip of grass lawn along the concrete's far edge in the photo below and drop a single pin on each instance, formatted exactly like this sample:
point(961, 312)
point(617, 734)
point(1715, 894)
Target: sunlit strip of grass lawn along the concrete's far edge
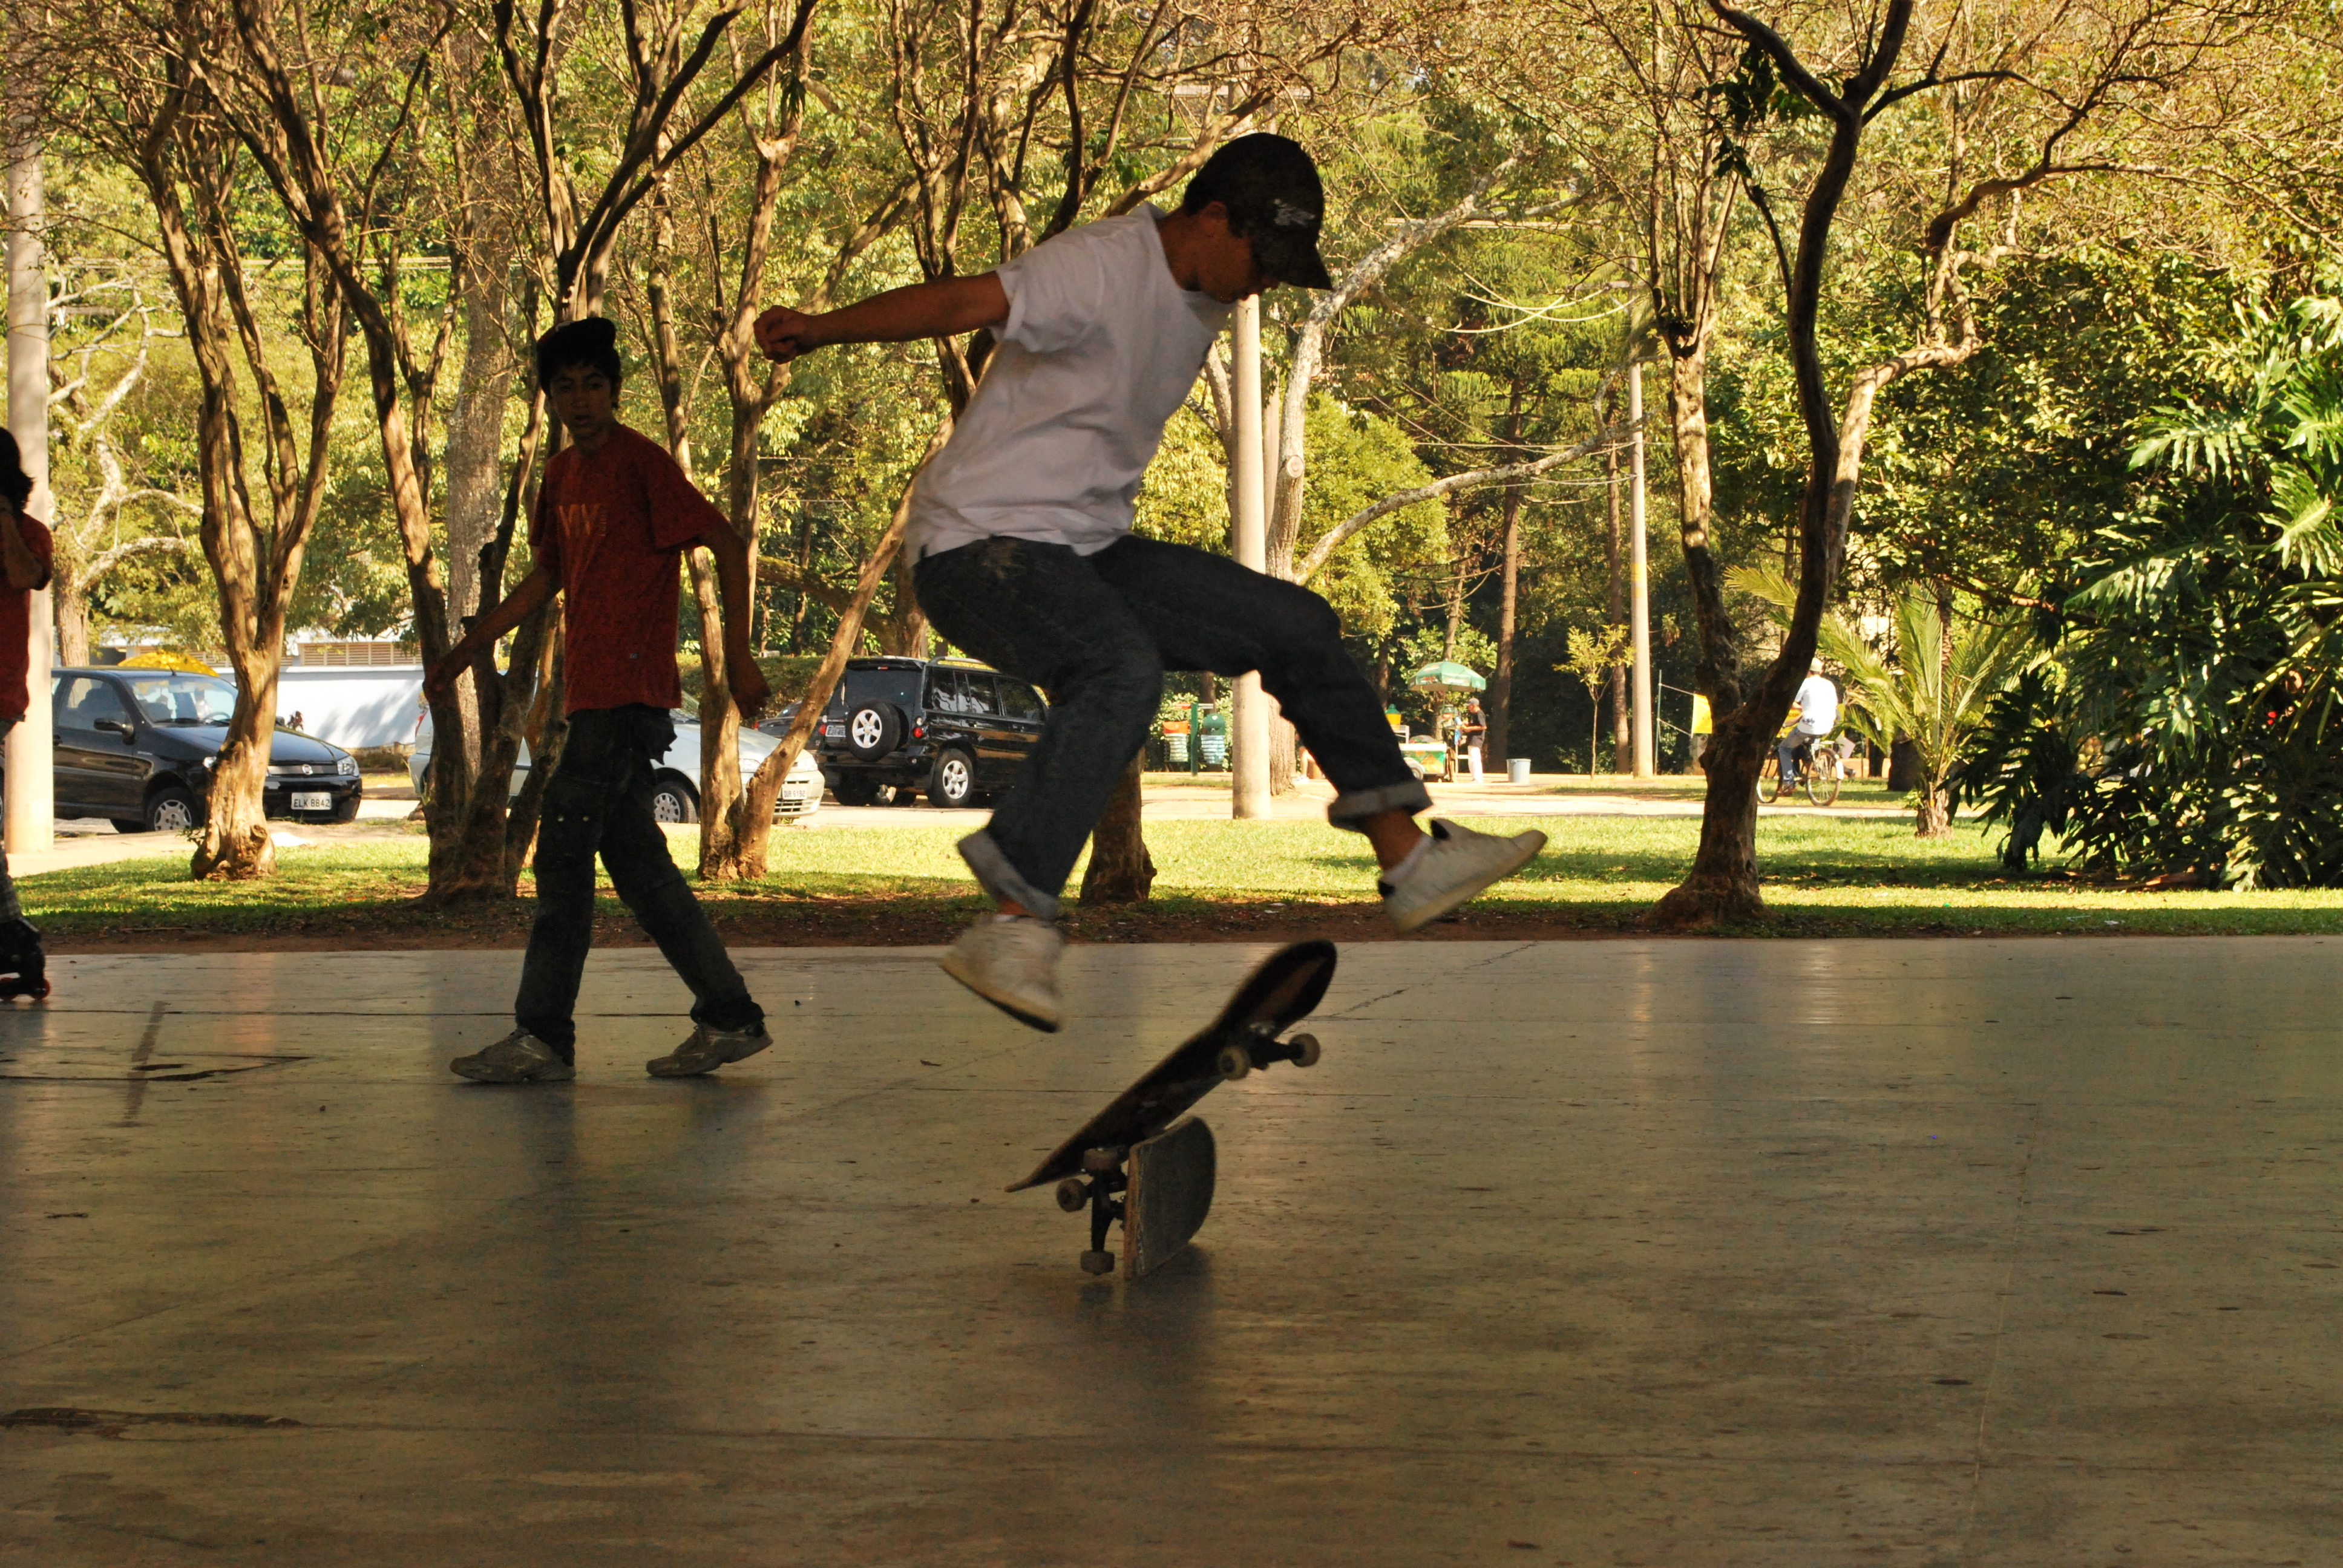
point(1238, 880)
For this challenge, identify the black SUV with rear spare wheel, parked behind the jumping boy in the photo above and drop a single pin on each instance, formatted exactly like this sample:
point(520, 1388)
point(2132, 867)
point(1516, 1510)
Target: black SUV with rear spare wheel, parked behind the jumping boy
point(938, 725)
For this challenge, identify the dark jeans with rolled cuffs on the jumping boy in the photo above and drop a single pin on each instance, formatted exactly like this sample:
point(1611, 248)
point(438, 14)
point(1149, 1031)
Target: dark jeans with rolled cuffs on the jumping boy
point(1098, 634)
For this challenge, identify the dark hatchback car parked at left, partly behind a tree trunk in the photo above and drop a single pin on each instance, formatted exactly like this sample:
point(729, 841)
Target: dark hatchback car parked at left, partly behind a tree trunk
point(139, 746)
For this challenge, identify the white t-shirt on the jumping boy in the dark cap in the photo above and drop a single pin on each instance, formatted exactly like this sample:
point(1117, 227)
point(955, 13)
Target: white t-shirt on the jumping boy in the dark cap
point(1100, 350)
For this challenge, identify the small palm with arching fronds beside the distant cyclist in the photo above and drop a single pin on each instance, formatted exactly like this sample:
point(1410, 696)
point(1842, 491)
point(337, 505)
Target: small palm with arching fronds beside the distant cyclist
point(1951, 664)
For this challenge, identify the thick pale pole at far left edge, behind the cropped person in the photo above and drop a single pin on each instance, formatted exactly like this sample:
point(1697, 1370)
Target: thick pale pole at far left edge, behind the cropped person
point(32, 756)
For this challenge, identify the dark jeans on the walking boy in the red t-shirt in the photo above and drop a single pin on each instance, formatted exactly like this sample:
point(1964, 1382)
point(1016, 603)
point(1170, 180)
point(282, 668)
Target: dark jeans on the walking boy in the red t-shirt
point(601, 803)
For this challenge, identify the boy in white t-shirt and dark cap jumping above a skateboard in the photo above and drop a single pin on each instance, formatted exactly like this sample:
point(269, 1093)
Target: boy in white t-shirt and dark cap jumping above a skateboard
point(1025, 559)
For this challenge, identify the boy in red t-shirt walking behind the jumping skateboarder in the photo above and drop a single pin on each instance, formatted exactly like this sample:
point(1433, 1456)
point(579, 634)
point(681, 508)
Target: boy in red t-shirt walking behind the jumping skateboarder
point(610, 524)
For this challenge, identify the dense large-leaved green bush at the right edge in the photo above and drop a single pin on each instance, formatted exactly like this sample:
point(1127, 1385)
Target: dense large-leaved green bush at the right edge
point(2208, 622)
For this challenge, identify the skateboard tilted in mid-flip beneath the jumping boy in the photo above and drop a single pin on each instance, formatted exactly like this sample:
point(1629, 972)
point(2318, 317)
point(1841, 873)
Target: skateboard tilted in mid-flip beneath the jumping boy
point(1140, 1161)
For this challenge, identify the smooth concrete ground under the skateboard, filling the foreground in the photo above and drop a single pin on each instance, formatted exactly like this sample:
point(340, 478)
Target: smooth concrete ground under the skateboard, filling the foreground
point(1587, 1253)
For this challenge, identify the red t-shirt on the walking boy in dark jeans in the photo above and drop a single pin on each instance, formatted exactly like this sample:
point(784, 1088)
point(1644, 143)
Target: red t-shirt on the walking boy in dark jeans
point(610, 526)
